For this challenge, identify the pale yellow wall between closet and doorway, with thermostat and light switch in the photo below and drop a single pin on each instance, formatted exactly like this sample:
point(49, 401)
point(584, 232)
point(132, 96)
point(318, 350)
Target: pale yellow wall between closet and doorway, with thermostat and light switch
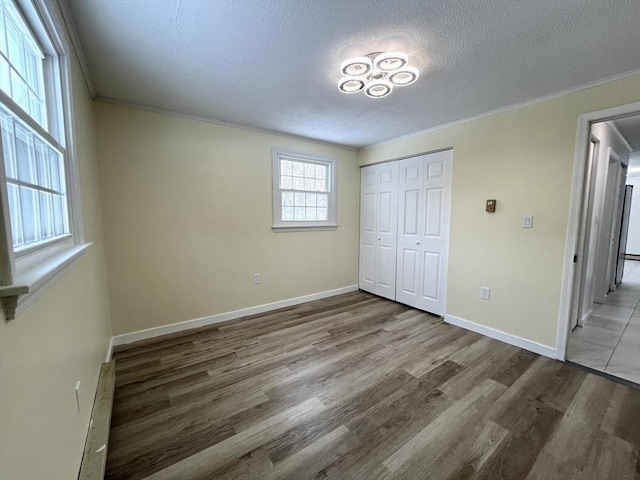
point(524, 159)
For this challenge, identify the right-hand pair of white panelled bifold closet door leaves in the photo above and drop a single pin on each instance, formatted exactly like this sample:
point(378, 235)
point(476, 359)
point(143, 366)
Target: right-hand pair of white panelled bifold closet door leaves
point(424, 207)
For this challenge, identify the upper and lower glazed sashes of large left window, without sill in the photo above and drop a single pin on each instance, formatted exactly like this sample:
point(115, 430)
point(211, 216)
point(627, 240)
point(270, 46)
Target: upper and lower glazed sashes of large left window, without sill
point(34, 164)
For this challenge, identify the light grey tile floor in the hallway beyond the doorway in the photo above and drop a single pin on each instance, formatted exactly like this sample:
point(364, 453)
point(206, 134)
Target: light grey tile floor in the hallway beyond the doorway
point(610, 340)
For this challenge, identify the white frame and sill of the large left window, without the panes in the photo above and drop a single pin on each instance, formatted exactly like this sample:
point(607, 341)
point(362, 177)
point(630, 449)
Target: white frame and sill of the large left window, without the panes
point(24, 274)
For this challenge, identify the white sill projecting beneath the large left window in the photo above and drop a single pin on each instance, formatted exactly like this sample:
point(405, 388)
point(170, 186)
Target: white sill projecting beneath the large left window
point(34, 272)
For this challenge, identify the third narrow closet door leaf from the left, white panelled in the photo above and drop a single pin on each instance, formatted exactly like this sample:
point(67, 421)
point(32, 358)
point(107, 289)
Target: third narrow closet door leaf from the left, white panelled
point(410, 225)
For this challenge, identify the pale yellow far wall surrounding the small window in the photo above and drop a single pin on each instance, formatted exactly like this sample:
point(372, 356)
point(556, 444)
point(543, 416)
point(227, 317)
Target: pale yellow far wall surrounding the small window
point(188, 214)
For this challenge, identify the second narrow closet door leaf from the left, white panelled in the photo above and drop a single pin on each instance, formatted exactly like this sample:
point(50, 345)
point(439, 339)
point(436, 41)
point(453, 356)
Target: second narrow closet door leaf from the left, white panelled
point(387, 230)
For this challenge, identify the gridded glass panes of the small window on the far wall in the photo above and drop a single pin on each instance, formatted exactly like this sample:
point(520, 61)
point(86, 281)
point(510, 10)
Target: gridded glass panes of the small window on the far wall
point(297, 178)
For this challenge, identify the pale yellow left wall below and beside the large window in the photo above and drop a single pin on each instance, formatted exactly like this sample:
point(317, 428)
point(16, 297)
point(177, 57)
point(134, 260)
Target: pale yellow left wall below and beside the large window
point(60, 339)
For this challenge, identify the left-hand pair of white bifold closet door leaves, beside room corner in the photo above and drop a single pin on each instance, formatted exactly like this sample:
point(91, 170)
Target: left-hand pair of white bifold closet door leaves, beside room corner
point(378, 229)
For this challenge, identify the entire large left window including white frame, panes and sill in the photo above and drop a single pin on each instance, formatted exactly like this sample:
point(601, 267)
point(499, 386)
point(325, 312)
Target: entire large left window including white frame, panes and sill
point(42, 232)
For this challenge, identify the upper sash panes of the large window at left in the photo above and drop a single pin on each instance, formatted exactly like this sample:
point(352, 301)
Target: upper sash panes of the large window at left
point(29, 78)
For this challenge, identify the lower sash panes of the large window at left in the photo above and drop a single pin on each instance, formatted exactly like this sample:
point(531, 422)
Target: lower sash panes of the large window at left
point(38, 186)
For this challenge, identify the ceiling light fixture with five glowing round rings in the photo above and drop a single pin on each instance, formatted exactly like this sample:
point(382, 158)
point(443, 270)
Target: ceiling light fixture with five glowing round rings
point(376, 74)
